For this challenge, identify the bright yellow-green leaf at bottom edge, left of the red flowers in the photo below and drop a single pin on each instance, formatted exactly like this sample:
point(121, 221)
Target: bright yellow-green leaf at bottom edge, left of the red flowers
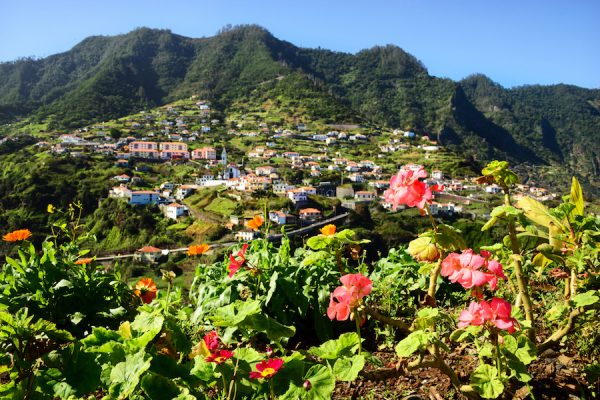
point(126, 375)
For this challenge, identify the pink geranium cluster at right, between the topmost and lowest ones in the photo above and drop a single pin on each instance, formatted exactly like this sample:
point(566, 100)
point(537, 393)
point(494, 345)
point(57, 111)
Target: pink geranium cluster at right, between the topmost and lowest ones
point(465, 269)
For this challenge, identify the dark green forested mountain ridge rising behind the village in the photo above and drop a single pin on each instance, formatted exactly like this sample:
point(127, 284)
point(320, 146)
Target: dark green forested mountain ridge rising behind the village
point(107, 77)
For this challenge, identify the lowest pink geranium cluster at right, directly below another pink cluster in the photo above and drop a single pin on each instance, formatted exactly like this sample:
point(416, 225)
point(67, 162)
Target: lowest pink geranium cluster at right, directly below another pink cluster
point(496, 312)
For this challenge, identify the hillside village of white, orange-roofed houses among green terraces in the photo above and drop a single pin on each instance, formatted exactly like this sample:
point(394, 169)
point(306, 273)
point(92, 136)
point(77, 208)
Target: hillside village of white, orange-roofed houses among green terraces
point(244, 156)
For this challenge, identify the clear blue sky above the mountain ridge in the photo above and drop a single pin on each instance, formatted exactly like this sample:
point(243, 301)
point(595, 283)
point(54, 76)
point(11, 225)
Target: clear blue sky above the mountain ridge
point(513, 42)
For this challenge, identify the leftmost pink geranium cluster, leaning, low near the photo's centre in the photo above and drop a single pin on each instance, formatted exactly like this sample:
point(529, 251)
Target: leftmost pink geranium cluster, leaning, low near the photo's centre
point(345, 299)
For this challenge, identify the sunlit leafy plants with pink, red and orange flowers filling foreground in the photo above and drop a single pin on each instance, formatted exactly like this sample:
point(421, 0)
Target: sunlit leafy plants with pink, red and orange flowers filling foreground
point(259, 323)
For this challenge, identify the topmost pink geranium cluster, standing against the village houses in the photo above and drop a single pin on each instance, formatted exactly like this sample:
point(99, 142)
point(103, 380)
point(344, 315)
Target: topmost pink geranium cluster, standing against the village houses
point(406, 188)
